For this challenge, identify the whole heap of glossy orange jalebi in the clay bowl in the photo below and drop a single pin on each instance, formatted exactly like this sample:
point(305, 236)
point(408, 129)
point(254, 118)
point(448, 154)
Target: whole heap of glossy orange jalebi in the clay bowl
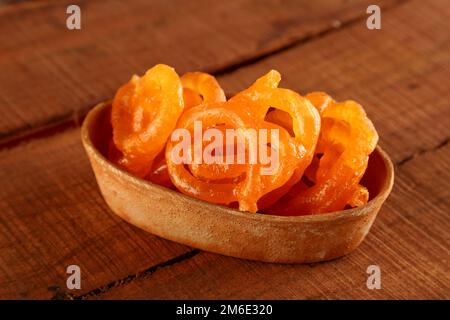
point(165, 127)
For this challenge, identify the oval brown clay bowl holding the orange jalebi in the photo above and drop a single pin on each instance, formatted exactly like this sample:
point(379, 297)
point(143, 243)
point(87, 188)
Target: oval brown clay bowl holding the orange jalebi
point(174, 216)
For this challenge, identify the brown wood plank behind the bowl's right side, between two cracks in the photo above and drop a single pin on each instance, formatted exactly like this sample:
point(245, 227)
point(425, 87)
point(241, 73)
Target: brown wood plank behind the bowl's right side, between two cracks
point(399, 73)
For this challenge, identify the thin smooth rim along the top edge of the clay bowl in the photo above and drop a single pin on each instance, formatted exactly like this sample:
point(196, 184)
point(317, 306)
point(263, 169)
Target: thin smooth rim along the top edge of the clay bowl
point(89, 122)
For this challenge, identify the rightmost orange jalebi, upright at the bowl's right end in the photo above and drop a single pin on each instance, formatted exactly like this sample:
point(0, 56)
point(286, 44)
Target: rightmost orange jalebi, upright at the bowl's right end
point(346, 139)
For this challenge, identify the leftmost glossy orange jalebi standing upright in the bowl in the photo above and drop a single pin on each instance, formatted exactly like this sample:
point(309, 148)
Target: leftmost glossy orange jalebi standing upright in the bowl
point(144, 113)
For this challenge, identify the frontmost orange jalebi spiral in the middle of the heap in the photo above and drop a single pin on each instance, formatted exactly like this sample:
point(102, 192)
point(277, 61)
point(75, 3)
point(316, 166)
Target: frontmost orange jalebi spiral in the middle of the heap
point(226, 183)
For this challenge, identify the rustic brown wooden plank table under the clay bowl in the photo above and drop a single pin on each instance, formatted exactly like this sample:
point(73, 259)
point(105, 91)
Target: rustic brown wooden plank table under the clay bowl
point(52, 214)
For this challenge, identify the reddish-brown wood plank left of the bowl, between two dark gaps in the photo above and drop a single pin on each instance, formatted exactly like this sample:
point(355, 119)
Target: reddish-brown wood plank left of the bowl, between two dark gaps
point(52, 216)
